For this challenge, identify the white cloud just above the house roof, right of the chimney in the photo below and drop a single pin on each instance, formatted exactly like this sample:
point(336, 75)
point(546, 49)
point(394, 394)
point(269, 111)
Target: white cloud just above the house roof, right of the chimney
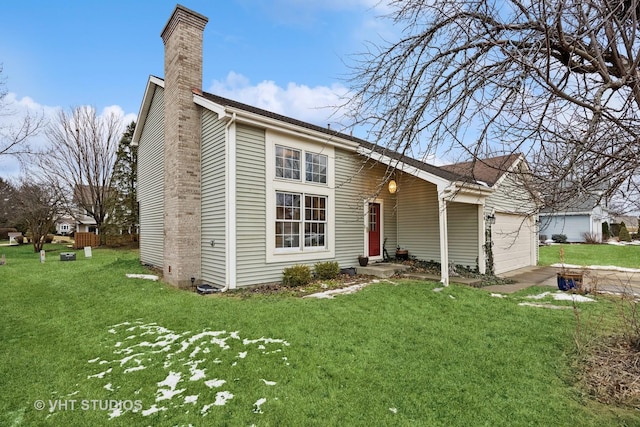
point(319, 105)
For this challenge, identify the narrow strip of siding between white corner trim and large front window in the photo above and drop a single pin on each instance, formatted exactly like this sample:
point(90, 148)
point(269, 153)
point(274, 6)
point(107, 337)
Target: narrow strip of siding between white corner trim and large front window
point(251, 209)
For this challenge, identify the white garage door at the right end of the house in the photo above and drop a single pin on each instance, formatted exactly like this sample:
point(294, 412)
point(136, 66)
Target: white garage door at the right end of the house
point(514, 243)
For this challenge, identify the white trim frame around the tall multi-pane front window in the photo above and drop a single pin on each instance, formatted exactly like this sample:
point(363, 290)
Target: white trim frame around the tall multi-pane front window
point(302, 187)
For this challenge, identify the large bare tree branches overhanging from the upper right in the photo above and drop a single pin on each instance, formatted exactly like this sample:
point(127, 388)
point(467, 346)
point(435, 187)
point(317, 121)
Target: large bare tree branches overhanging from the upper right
point(556, 80)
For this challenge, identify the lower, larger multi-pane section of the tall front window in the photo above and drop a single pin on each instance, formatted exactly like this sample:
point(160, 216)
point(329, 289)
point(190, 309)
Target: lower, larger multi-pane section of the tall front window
point(290, 223)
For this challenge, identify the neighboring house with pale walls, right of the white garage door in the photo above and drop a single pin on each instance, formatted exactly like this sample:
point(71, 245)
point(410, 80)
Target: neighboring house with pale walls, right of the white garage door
point(582, 215)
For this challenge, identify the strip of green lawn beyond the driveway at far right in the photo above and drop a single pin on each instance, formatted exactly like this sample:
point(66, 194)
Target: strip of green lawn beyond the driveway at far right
point(584, 254)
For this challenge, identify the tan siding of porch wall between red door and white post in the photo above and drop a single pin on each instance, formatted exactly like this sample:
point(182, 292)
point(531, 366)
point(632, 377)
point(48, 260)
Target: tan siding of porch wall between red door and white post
point(418, 220)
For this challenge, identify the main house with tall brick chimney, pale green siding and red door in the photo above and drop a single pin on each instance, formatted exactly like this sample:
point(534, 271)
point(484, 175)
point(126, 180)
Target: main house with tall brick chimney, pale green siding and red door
point(231, 194)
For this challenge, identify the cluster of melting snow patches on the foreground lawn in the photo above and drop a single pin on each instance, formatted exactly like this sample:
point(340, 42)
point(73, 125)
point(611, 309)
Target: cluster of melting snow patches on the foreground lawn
point(187, 359)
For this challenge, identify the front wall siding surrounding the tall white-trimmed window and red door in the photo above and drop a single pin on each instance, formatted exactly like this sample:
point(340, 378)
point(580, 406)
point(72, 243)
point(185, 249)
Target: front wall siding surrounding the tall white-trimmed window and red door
point(350, 198)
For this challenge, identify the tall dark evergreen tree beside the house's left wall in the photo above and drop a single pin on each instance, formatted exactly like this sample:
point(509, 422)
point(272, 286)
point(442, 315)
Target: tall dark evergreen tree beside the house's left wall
point(125, 214)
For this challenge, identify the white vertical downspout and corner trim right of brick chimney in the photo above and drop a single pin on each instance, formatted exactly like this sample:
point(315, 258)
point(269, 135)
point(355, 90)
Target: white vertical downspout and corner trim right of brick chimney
point(230, 209)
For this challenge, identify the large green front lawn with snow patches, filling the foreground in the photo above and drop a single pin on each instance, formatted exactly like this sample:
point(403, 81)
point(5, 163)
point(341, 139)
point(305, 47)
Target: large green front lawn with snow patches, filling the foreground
point(80, 338)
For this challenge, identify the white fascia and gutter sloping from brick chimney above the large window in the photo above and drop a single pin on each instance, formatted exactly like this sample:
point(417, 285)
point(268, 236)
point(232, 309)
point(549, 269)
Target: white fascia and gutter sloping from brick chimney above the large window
point(245, 117)
